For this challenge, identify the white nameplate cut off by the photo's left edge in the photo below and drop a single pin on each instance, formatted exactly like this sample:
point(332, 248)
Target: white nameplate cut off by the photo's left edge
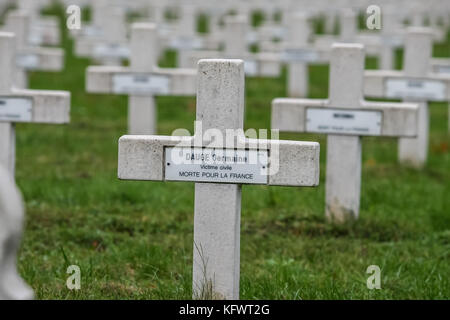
point(15, 109)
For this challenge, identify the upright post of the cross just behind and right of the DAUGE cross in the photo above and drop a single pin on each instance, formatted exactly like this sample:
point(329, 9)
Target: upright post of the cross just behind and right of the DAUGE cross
point(343, 176)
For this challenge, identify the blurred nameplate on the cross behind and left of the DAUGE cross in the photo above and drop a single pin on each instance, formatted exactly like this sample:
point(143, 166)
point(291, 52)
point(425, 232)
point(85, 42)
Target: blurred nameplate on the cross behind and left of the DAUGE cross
point(144, 84)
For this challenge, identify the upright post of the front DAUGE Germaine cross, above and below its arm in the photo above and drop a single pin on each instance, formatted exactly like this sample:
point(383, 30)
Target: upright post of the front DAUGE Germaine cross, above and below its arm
point(220, 106)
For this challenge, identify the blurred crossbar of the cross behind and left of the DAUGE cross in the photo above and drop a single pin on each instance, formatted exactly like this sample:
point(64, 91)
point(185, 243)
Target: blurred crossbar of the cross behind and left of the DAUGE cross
point(103, 79)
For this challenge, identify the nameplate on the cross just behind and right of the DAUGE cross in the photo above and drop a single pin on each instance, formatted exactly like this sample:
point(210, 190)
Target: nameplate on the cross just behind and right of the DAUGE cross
point(343, 121)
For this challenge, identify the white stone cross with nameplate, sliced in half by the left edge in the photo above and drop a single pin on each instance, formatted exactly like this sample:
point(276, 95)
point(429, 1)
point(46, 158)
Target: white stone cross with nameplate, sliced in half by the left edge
point(22, 105)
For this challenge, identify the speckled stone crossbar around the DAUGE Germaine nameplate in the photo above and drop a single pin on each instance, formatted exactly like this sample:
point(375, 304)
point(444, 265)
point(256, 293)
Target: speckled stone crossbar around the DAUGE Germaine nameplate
point(143, 158)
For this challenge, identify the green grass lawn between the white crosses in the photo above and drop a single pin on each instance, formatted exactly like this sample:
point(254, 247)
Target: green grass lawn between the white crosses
point(134, 240)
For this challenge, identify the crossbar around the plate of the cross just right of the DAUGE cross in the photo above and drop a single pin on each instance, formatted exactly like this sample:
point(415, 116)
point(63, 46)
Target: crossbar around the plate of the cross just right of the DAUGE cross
point(290, 115)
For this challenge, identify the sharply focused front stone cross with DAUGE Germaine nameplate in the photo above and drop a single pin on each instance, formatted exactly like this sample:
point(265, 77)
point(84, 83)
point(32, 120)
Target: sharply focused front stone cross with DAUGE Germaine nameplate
point(219, 158)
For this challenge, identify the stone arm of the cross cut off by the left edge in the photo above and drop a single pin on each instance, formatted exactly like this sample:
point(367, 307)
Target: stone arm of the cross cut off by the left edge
point(46, 106)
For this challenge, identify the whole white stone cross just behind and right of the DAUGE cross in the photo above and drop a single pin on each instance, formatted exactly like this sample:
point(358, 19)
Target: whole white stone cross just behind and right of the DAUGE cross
point(345, 117)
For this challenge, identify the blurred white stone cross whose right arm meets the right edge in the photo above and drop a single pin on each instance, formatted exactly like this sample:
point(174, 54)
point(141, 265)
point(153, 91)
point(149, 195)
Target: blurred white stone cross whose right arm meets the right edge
point(415, 83)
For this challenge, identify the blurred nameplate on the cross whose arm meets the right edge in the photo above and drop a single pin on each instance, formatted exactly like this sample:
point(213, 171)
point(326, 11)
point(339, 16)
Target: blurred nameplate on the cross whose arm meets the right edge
point(431, 90)
